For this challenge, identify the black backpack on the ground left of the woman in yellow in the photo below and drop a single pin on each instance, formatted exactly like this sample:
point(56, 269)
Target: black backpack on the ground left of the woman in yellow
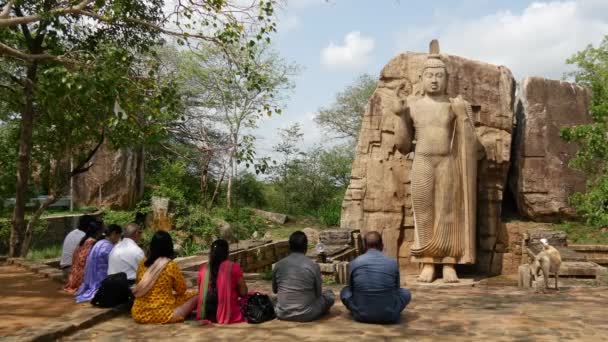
point(114, 291)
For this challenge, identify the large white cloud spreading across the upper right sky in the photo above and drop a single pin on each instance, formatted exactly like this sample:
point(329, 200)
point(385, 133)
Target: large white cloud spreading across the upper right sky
point(535, 42)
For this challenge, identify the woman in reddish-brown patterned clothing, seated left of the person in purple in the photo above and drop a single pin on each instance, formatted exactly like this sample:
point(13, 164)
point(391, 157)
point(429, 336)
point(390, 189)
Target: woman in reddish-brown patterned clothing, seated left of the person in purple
point(93, 233)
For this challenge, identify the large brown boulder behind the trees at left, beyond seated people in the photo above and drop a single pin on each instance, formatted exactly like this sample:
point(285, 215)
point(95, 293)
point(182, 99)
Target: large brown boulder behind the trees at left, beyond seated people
point(115, 179)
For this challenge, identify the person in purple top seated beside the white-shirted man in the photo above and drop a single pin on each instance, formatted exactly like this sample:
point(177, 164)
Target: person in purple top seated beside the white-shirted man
point(96, 269)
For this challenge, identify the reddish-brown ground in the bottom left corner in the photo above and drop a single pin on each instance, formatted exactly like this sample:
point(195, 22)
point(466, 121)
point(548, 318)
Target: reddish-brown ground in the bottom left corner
point(27, 299)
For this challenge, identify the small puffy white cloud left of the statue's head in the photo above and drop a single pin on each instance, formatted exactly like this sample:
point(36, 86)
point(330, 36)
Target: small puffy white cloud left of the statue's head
point(353, 54)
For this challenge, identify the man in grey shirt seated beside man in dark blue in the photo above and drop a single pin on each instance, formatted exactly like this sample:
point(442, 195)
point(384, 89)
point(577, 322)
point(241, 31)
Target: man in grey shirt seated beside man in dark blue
point(297, 282)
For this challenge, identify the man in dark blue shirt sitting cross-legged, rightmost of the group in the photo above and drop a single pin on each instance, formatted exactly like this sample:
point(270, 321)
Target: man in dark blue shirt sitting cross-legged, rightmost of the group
point(374, 295)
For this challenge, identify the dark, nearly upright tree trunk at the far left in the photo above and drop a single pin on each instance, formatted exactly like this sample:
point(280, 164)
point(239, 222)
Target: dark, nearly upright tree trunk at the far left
point(23, 163)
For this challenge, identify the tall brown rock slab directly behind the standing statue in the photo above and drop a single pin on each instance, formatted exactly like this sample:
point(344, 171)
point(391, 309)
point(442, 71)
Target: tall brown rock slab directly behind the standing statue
point(378, 196)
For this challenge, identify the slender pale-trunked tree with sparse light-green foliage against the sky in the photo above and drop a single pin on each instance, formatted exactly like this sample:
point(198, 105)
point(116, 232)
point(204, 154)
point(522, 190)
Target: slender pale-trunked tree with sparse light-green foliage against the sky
point(220, 99)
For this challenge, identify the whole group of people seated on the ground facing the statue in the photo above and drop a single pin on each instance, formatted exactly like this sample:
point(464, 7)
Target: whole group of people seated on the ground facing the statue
point(161, 294)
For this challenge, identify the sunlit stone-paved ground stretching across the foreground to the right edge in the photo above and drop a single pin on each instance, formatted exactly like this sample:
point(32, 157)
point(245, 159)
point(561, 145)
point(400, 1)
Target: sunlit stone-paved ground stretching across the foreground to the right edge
point(459, 313)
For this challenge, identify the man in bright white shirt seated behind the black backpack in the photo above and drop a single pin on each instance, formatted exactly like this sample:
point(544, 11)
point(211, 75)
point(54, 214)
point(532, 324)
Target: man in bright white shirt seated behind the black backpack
point(126, 254)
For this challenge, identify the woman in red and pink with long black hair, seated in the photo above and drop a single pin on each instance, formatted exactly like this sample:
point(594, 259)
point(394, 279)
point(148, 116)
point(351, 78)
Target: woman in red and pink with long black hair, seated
point(222, 279)
